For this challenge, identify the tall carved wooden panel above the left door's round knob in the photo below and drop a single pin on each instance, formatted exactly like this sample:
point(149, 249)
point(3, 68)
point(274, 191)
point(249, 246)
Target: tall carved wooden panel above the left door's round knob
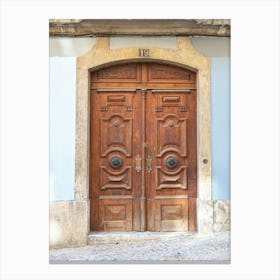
point(116, 135)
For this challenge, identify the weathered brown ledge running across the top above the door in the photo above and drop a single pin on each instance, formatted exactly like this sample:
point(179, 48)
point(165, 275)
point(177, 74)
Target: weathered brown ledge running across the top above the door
point(162, 27)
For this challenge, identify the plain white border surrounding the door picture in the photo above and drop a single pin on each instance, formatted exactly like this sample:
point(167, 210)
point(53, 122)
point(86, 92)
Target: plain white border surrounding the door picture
point(254, 141)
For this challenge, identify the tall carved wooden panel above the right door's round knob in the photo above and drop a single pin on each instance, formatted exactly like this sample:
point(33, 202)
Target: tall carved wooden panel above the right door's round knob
point(171, 135)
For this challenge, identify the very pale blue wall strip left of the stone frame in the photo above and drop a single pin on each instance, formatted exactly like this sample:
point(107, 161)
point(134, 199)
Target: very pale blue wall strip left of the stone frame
point(62, 127)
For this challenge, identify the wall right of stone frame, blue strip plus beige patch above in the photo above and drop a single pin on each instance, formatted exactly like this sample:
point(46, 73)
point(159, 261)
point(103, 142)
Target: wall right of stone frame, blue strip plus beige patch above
point(218, 50)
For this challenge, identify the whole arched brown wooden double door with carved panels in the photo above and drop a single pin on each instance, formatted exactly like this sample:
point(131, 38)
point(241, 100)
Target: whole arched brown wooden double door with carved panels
point(143, 156)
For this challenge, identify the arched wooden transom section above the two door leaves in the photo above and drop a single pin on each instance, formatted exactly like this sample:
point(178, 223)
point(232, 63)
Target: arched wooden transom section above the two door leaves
point(149, 74)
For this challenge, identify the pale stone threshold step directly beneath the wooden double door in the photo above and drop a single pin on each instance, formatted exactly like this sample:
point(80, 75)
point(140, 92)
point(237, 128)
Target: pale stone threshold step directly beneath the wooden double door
point(133, 236)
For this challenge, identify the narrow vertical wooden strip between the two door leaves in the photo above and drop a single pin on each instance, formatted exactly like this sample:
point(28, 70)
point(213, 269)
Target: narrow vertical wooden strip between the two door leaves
point(143, 182)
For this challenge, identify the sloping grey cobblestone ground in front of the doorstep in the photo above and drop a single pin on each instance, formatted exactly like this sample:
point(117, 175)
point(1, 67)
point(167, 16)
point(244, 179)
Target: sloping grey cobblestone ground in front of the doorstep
point(200, 249)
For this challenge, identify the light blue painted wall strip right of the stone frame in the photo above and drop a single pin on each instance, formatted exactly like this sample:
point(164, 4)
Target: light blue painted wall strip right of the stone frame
point(220, 127)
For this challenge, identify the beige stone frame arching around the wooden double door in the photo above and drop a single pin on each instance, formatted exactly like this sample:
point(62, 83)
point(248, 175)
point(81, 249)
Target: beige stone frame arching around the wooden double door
point(184, 56)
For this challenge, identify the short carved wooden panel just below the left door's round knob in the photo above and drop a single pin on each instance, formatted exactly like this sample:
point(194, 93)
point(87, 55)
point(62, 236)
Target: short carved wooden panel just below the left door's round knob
point(115, 179)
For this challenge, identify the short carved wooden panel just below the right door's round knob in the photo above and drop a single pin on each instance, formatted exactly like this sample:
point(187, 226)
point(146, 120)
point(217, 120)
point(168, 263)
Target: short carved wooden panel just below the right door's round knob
point(171, 180)
